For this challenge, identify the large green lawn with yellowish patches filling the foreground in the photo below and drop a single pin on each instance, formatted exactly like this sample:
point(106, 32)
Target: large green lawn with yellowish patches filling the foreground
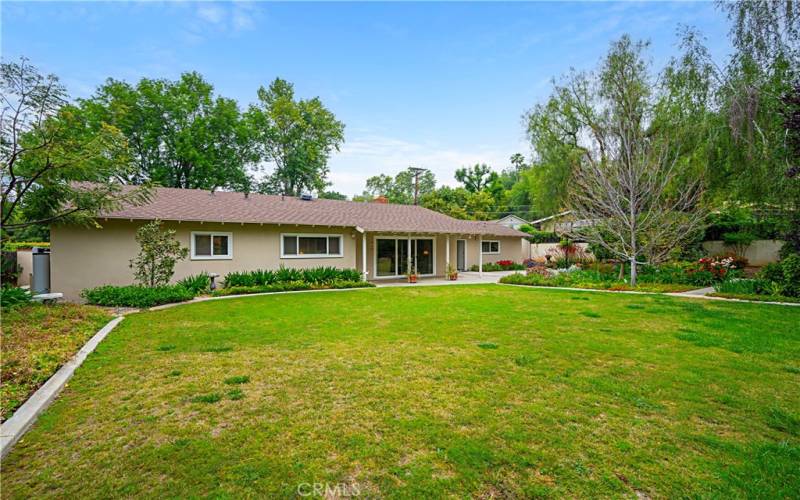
point(478, 391)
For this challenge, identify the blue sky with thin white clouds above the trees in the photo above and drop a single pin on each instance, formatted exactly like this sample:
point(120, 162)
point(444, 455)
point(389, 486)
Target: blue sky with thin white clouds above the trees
point(437, 85)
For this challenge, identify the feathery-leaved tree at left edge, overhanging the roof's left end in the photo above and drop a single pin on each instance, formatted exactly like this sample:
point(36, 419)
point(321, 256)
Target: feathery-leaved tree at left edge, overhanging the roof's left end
point(56, 166)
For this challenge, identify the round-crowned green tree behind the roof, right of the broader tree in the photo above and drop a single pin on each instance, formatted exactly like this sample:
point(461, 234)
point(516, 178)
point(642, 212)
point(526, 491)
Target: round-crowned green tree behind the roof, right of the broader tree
point(297, 136)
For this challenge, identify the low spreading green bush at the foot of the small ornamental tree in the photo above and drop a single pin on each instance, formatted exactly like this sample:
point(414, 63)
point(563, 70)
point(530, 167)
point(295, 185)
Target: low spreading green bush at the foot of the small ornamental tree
point(136, 296)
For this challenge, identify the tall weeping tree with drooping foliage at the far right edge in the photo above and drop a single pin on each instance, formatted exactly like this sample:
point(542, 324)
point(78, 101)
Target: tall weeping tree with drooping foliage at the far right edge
point(749, 140)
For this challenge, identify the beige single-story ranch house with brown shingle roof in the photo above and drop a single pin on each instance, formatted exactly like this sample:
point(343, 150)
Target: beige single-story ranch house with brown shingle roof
point(227, 231)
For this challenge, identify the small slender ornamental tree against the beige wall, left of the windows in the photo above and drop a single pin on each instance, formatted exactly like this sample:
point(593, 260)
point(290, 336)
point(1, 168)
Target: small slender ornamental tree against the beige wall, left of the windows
point(158, 254)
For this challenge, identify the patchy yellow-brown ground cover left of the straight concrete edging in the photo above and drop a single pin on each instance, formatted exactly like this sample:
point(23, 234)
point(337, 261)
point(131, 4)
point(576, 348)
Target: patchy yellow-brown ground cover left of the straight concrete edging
point(37, 341)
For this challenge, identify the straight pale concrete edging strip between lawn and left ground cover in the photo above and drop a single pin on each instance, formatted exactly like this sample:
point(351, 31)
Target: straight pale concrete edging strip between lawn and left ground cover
point(12, 430)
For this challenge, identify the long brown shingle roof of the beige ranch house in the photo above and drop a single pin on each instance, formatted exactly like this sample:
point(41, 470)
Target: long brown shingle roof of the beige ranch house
point(229, 207)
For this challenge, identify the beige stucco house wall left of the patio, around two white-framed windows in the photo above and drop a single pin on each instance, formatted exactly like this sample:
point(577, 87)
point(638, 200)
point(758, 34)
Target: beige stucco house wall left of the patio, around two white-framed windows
point(87, 257)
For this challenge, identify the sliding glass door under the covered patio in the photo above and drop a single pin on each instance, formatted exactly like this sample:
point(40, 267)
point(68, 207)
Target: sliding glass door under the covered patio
point(391, 256)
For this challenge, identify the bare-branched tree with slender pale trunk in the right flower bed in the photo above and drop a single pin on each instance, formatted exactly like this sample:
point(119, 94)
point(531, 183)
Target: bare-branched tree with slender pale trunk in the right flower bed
point(629, 182)
